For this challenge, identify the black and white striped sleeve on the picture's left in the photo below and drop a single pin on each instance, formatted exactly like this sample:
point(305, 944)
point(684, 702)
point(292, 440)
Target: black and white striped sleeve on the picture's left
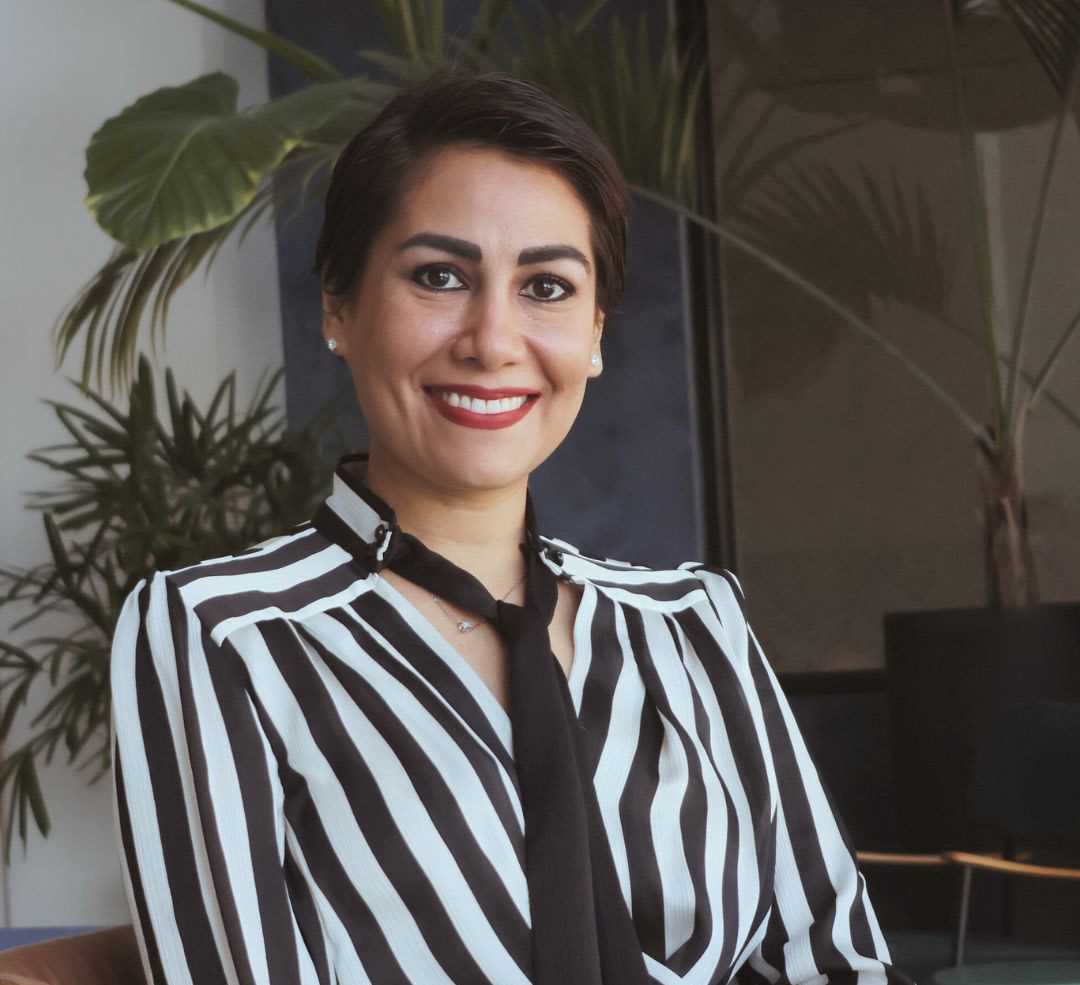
point(200, 809)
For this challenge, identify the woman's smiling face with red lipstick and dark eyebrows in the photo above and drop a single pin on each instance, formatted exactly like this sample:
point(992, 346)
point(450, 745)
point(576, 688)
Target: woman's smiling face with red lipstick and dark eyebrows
point(471, 333)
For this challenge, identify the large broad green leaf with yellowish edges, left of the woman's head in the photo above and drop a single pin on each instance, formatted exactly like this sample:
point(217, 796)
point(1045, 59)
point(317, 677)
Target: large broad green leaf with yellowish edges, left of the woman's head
point(184, 159)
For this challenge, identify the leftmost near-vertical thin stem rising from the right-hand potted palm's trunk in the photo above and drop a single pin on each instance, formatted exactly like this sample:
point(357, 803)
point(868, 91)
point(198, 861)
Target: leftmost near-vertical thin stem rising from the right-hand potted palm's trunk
point(981, 236)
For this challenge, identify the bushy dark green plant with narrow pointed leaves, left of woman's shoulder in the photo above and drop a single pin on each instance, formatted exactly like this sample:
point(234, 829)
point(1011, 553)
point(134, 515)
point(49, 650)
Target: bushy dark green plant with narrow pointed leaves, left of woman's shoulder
point(138, 493)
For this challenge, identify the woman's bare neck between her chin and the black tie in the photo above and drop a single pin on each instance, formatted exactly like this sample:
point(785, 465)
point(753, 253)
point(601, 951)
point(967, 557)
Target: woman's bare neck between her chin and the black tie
point(477, 530)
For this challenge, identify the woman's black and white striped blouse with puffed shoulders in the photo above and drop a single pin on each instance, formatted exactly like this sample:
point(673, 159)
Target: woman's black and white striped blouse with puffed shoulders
point(315, 787)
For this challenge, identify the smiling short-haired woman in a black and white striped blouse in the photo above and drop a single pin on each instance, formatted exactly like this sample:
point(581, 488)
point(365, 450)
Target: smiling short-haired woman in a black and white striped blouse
point(415, 741)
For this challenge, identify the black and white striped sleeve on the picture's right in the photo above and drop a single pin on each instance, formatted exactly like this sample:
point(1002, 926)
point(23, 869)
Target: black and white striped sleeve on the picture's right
point(822, 927)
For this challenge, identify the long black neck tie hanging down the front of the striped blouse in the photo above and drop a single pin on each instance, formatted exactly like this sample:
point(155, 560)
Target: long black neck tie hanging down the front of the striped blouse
point(583, 933)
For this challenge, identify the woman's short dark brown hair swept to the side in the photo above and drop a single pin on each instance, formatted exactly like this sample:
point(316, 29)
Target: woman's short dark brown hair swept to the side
point(493, 111)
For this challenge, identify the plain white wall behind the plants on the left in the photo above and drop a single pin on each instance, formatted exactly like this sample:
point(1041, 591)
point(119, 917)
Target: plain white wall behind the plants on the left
point(65, 66)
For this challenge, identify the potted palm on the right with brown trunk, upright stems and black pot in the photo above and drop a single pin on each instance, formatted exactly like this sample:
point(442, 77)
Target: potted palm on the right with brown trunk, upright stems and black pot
point(953, 673)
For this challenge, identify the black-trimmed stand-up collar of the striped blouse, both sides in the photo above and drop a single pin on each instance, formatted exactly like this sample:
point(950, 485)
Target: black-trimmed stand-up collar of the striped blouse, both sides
point(364, 524)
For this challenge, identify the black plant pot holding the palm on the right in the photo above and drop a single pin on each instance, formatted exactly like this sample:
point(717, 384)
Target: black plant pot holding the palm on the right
point(951, 674)
